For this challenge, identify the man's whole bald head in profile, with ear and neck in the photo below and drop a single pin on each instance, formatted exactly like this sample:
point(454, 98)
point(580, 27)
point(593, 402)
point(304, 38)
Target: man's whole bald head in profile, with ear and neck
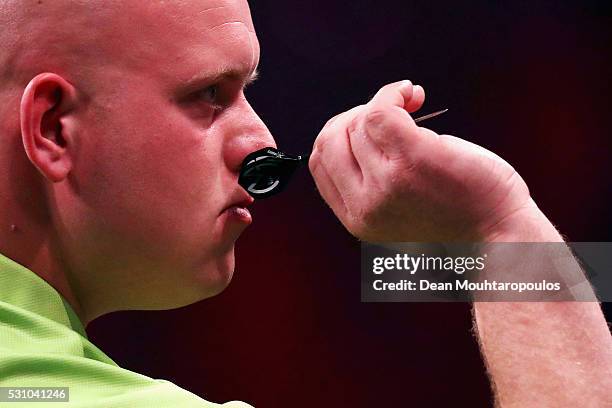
point(125, 124)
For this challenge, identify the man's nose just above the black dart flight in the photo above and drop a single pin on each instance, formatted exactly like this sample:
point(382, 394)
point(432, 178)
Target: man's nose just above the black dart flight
point(248, 134)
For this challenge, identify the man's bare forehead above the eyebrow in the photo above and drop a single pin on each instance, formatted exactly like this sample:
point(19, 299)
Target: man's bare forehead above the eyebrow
point(177, 40)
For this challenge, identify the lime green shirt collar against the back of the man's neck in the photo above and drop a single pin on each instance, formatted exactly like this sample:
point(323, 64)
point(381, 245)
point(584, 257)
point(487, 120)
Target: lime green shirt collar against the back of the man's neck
point(21, 287)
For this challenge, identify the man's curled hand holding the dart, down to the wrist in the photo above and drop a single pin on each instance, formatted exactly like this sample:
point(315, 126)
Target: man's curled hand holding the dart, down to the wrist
point(388, 179)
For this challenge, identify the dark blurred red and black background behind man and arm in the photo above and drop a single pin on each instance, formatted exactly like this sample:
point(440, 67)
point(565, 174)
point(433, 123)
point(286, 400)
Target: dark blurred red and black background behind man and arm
point(528, 80)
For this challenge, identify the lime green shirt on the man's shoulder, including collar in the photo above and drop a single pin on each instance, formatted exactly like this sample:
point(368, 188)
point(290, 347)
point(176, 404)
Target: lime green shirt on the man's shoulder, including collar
point(43, 344)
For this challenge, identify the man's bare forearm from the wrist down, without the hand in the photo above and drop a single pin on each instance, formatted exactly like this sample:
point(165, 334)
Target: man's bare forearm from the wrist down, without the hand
point(544, 353)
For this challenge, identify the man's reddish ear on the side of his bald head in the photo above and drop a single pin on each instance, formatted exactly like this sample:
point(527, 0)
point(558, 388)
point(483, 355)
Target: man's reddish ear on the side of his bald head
point(45, 126)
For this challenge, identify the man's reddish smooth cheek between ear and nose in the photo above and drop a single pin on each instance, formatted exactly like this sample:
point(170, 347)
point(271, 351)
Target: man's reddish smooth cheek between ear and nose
point(156, 175)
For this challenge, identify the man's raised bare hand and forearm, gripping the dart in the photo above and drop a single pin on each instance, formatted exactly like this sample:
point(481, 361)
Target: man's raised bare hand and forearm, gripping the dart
point(389, 180)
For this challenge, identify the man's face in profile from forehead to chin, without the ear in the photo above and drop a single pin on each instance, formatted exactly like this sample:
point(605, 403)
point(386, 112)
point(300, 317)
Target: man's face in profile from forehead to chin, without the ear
point(159, 147)
